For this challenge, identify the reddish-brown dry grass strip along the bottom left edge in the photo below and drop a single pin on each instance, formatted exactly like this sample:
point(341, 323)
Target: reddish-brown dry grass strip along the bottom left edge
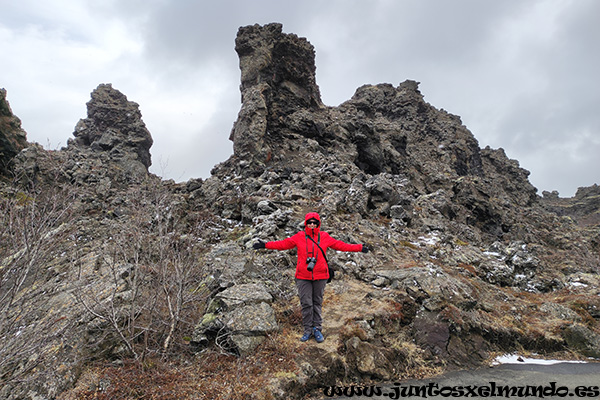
point(210, 375)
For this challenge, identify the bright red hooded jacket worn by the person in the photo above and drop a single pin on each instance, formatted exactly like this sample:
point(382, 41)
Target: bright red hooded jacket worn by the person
point(307, 248)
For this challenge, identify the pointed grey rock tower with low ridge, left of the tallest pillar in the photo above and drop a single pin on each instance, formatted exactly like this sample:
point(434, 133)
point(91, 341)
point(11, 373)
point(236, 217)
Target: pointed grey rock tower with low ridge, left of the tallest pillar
point(109, 152)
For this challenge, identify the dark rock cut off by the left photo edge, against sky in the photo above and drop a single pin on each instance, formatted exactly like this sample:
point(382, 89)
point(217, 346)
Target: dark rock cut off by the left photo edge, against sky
point(13, 138)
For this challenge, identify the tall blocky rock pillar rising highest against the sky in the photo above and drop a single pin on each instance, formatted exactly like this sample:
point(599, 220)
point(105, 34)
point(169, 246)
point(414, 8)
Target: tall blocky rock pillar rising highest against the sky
point(278, 79)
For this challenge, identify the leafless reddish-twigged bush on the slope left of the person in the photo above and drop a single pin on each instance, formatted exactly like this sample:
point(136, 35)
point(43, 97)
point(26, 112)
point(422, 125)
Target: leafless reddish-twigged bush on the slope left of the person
point(154, 259)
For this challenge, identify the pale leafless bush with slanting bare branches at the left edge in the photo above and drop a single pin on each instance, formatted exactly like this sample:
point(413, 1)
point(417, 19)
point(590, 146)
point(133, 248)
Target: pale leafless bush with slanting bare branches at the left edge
point(32, 226)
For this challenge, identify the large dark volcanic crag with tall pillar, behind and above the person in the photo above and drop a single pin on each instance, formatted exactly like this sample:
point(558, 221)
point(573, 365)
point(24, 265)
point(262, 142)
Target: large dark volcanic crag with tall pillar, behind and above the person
point(386, 140)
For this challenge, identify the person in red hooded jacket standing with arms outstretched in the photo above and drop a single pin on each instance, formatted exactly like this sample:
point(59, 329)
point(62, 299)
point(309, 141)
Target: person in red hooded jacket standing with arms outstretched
point(312, 271)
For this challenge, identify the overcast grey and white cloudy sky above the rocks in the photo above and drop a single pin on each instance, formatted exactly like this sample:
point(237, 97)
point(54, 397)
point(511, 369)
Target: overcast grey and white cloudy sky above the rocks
point(522, 74)
